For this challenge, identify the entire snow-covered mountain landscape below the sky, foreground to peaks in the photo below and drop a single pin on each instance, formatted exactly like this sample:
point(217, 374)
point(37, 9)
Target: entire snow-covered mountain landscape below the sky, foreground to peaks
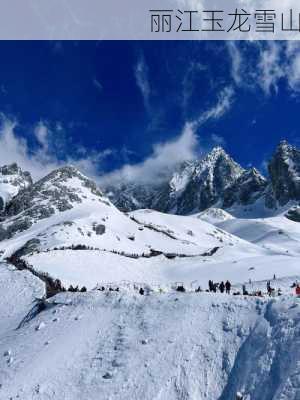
point(117, 344)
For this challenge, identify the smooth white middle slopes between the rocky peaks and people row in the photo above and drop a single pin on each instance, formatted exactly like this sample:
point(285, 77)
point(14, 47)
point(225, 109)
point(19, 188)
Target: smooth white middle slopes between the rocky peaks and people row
point(111, 259)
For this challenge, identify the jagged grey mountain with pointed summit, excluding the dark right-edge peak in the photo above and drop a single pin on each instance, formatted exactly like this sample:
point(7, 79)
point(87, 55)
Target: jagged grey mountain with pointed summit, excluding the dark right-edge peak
point(194, 186)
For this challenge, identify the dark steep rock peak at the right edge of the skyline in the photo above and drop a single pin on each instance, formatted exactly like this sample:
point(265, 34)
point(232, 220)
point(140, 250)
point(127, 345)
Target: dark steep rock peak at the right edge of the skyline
point(284, 170)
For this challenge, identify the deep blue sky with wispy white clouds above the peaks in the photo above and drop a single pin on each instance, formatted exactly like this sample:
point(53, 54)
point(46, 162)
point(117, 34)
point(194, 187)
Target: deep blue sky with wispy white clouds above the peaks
point(142, 107)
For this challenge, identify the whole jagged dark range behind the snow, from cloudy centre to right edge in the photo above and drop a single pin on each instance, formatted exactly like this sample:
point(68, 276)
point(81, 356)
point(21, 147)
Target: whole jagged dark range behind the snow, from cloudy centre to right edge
point(217, 181)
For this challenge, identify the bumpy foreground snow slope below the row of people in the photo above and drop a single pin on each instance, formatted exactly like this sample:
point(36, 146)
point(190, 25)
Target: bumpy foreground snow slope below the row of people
point(163, 347)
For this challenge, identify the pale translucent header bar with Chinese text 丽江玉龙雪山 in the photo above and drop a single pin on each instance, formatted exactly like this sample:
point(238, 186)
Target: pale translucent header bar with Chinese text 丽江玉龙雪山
point(150, 19)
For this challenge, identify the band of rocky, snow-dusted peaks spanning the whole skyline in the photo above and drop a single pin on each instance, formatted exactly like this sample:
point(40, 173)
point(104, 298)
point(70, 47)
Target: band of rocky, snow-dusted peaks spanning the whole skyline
point(214, 181)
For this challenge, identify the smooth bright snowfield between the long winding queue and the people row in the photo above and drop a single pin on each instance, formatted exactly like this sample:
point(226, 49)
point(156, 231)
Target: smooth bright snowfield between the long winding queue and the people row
point(91, 267)
